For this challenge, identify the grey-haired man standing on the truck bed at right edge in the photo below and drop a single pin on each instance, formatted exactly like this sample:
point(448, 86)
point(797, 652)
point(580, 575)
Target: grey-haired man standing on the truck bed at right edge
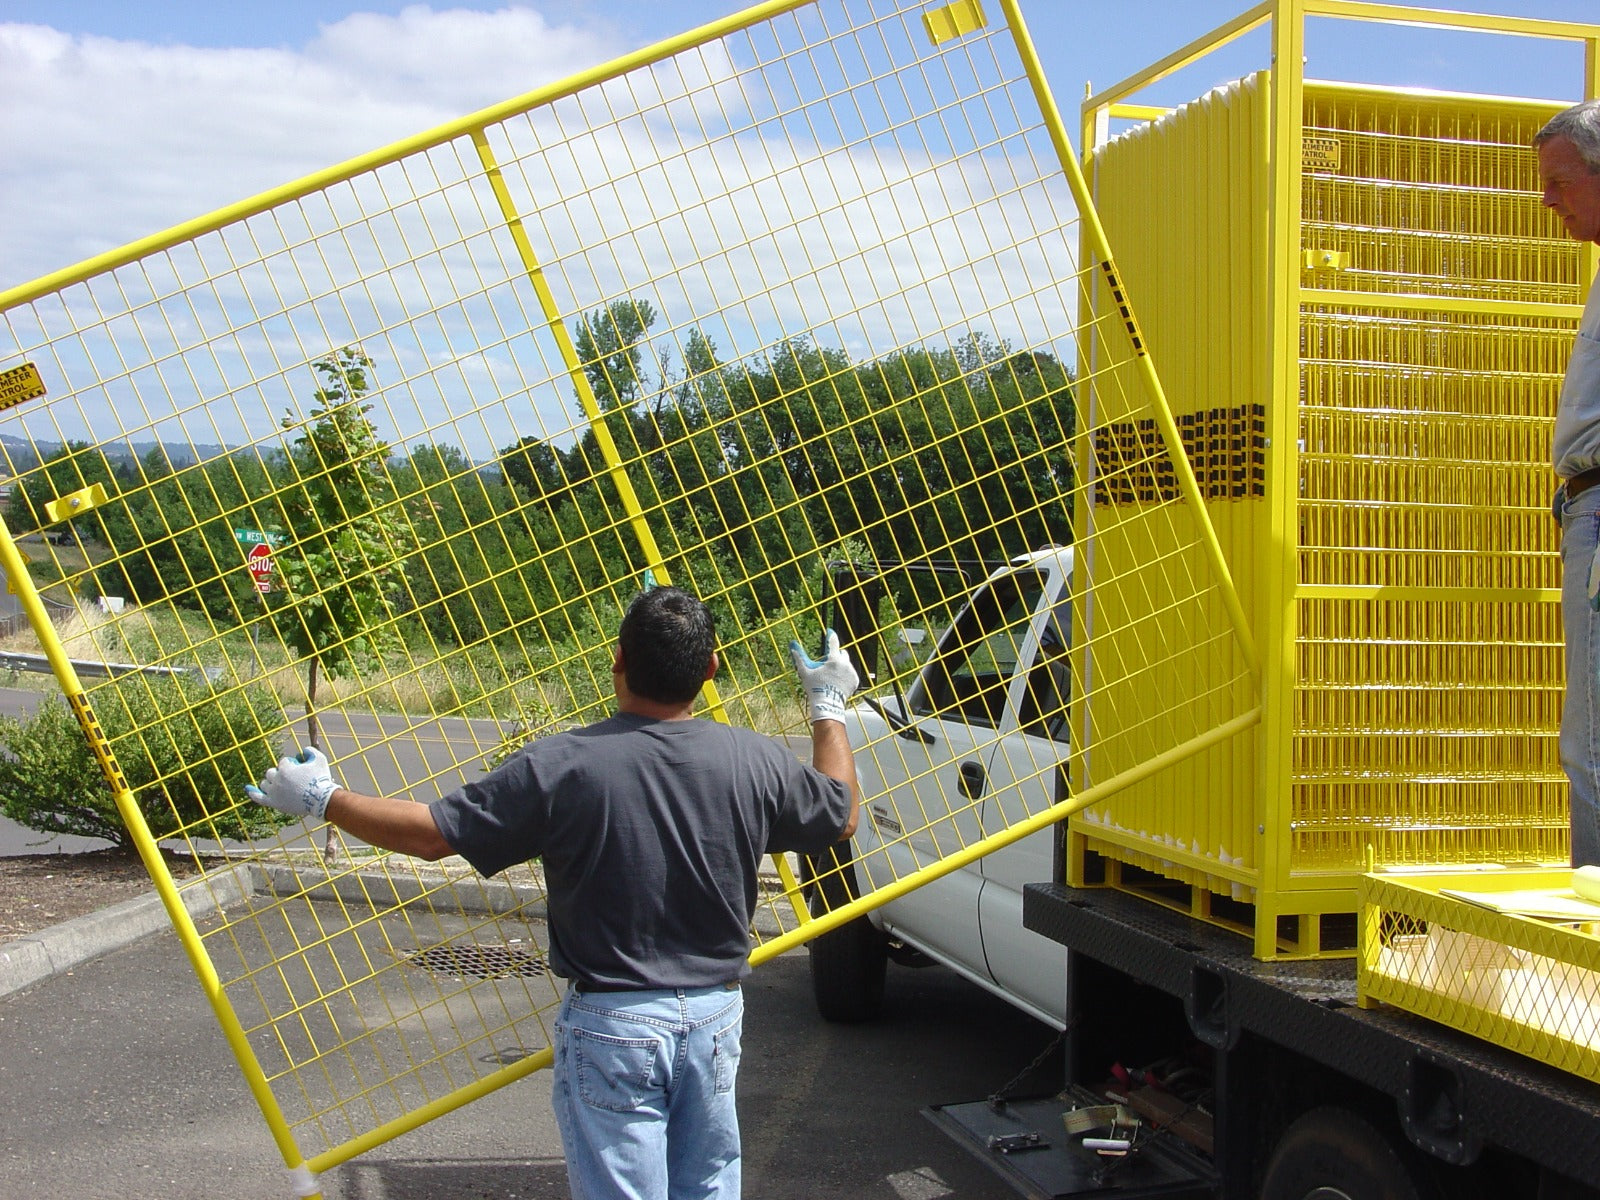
point(1569, 150)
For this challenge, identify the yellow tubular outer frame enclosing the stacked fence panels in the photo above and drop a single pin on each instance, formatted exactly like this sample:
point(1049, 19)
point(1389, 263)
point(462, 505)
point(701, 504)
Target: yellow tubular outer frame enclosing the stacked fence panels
point(1276, 889)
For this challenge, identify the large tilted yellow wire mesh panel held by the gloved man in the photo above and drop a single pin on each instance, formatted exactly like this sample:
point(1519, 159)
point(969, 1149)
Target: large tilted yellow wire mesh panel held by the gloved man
point(377, 462)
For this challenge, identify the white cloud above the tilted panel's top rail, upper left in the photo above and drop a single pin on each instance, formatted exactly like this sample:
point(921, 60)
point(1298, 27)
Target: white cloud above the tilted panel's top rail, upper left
point(110, 142)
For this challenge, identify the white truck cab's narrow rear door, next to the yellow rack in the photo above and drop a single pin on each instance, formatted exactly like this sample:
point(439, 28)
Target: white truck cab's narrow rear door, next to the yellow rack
point(1025, 775)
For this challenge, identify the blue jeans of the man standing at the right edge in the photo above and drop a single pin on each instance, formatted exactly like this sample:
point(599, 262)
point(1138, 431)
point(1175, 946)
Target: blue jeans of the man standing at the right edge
point(1582, 711)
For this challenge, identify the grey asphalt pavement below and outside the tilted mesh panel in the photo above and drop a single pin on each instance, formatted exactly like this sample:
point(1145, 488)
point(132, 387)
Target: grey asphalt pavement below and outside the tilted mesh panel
point(116, 1084)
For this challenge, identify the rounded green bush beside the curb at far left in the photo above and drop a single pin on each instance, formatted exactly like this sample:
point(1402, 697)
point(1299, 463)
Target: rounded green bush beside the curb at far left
point(185, 750)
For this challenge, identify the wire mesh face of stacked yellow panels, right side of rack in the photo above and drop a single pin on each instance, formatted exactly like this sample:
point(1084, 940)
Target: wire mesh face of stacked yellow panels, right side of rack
point(1430, 562)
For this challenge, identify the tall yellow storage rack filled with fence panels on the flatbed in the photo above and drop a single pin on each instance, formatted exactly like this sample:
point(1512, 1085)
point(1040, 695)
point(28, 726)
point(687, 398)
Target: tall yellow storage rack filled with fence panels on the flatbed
point(1361, 313)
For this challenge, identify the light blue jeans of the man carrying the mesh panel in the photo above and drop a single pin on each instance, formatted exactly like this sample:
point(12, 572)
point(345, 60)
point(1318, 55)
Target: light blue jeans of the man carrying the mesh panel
point(644, 1094)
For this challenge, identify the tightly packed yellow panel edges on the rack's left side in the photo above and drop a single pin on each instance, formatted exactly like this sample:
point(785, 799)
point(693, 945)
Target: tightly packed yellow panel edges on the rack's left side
point(1177, 198)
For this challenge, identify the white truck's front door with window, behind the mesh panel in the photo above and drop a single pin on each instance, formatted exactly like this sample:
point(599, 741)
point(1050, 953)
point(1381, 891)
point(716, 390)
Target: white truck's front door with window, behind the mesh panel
point(958, 708)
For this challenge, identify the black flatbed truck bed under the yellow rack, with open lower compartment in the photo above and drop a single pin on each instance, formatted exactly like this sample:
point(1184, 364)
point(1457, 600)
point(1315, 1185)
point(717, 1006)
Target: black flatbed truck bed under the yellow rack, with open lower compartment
point(1295, 1073)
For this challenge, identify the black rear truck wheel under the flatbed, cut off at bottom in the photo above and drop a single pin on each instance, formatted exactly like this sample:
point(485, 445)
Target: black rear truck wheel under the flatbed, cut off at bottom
point(1332, 1154)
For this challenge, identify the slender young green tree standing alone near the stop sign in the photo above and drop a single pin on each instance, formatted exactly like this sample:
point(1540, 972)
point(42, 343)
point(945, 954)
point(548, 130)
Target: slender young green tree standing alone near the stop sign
point(343, 567)
